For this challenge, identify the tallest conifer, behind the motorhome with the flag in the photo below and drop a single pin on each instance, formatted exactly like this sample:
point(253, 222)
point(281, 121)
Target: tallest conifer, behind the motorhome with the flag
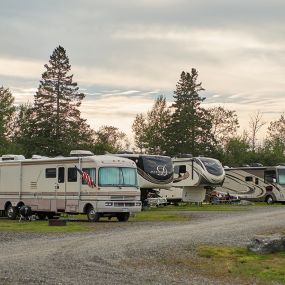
point(57, 121)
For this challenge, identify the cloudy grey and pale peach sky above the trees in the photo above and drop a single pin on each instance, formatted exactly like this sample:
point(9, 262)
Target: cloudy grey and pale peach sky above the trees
point(125, 53)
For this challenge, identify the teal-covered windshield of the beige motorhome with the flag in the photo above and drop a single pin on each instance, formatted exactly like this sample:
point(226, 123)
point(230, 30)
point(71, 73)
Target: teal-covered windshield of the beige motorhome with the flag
point(117, 176)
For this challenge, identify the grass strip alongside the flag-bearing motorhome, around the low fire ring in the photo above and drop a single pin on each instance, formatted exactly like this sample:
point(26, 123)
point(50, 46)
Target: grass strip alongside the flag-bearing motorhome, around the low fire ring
point(40, 226)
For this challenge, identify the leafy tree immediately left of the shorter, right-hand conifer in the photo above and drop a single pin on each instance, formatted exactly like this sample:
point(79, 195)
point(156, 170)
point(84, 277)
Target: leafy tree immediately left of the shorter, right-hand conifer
point(150, 129)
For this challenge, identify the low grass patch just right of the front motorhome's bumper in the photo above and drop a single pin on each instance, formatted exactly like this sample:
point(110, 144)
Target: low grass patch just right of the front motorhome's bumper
point(152, 215)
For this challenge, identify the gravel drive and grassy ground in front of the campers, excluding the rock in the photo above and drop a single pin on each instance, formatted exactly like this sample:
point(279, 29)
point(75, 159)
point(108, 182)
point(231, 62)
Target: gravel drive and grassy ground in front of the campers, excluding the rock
point(172, 244)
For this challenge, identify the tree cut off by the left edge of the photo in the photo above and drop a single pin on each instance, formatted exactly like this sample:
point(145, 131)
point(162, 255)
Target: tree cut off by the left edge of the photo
point(7, 112)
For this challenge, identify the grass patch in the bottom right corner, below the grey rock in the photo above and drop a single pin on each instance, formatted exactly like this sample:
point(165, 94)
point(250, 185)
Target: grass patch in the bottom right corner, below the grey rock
point(239, 262)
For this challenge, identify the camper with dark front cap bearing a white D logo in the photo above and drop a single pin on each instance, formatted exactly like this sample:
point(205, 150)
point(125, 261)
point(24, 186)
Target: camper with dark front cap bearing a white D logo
point(155, 171)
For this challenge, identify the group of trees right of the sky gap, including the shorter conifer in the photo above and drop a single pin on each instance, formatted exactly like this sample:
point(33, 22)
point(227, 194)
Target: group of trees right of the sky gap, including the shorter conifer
point(187, 127)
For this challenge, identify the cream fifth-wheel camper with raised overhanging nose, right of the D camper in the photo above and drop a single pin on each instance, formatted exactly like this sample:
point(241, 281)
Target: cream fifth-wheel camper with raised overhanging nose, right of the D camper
point(192, 176)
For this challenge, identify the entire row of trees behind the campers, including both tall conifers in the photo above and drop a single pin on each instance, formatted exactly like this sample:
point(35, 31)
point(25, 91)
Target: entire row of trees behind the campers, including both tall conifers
point(52, 125)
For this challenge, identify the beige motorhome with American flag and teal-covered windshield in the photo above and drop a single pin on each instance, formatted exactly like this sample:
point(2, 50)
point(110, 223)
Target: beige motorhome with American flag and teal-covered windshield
point(54, 185)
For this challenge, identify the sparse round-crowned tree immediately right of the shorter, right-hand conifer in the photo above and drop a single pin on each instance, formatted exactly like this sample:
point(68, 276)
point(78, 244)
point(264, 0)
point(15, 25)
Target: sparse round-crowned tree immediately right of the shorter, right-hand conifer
point(224, 124)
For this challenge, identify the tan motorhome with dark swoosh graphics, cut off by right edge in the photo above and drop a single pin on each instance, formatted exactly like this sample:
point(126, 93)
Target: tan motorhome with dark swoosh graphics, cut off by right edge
point(256, 183)
